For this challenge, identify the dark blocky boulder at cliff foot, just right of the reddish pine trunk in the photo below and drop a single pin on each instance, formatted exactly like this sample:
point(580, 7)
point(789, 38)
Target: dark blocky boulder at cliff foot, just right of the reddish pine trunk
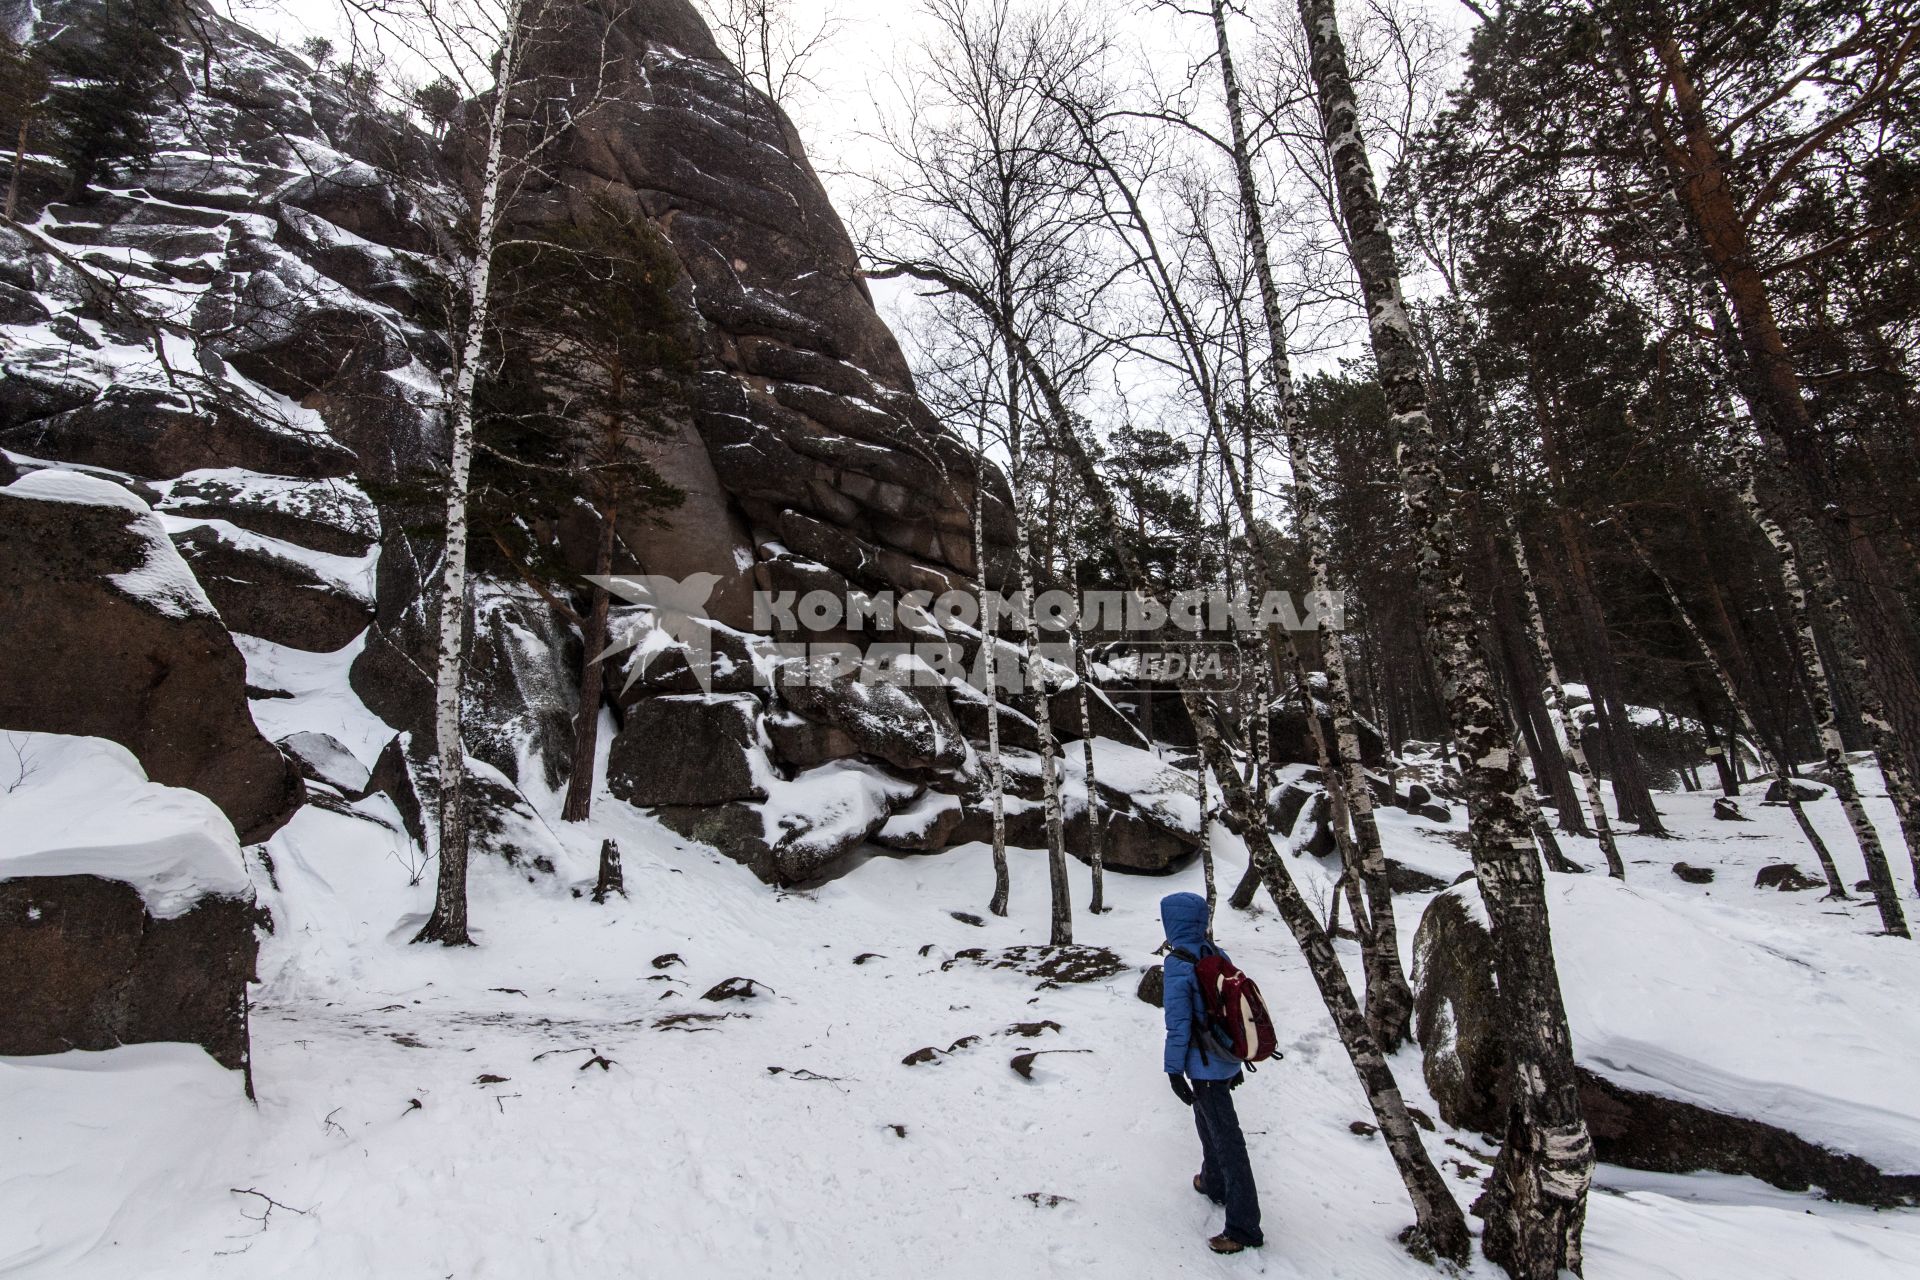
point(690, 751)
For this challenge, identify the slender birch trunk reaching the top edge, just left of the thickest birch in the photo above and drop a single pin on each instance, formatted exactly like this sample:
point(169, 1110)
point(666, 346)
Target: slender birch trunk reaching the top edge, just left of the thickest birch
point(1389, 995)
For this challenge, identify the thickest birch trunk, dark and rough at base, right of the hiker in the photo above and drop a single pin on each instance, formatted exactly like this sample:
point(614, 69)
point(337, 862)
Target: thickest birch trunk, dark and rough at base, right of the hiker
point(1537, 1200)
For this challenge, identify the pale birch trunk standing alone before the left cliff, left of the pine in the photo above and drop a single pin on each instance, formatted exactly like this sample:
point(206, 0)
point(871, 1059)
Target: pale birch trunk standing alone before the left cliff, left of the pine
point(448, 920)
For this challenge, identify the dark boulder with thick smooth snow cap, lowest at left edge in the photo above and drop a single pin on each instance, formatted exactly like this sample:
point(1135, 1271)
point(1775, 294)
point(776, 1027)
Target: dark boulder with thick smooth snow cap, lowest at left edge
point(126, 907)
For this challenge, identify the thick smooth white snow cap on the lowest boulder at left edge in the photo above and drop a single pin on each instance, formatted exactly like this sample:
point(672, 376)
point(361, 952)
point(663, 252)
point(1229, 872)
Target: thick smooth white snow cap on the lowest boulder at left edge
point(85, 807)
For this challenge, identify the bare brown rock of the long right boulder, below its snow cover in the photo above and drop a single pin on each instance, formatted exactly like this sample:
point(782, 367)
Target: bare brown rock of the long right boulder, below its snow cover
point(1456, 1022)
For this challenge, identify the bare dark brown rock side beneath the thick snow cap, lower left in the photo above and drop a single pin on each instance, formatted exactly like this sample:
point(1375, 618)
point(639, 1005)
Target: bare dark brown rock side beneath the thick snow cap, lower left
point(85, 968)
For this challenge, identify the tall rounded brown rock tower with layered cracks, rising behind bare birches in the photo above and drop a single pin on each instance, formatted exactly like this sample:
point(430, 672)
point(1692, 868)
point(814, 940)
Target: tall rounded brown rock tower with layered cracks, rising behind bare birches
point(807, 414)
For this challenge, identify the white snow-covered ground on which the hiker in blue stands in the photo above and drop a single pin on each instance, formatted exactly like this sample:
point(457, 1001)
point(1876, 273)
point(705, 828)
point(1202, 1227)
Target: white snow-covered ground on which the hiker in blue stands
point(446, 1114)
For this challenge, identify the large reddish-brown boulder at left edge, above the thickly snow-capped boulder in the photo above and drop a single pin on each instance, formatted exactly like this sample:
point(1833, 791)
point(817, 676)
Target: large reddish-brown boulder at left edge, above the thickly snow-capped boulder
point(105, 632)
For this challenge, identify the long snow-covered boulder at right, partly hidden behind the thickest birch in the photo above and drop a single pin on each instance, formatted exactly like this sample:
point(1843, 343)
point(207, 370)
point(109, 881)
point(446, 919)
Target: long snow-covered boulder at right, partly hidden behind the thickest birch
point(1708, 1078)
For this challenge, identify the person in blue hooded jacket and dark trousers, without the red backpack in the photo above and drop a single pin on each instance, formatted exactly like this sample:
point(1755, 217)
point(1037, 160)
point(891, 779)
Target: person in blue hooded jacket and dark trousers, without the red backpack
point(1205, 1076)
